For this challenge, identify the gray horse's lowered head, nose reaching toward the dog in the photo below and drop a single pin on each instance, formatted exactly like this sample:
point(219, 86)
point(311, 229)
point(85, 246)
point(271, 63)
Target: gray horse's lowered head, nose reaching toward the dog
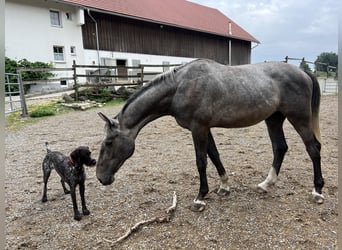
point(116, 148)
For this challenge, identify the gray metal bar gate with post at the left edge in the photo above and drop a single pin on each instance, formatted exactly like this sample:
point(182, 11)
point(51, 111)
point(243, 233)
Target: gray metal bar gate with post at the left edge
point(14, 94)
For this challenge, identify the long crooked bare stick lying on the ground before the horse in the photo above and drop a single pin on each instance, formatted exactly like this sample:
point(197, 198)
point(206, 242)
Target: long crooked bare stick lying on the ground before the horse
point(170, 211)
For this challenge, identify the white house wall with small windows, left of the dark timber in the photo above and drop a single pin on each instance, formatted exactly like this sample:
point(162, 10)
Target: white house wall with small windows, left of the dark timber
point(29, 34)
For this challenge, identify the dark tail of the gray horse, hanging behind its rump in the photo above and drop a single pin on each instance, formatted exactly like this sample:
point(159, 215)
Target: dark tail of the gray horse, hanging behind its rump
point(315, 103)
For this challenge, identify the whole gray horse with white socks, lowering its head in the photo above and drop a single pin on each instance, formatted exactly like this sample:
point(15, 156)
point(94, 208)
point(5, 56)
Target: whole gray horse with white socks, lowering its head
point(203, 94)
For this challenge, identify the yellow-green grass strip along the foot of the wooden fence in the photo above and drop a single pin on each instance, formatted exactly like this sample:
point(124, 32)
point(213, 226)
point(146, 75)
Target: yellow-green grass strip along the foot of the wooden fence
point(39, 112)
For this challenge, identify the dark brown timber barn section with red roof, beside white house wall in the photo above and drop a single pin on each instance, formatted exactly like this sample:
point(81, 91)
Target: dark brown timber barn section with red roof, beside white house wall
point(168, 28)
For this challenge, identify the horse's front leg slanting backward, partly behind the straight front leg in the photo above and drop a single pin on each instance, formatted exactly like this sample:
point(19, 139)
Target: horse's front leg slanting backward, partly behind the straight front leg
point(215, 158)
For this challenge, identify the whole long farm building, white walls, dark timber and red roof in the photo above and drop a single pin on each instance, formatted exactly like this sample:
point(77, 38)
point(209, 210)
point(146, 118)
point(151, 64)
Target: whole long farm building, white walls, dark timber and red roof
point(122, 32)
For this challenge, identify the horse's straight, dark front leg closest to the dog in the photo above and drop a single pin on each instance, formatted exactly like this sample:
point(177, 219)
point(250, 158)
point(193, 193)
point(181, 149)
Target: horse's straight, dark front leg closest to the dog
point(200, 139)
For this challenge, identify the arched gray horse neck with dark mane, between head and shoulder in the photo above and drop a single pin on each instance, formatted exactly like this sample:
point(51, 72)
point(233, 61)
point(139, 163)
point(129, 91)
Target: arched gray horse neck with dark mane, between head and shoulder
point(148, 104)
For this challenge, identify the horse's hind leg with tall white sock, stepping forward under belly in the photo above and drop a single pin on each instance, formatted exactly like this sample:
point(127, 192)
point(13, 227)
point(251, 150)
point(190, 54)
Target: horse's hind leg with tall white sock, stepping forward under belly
point(275, 130)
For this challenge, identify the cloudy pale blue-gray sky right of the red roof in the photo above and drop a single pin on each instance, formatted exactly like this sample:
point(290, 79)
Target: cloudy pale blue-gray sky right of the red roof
point(294, 28)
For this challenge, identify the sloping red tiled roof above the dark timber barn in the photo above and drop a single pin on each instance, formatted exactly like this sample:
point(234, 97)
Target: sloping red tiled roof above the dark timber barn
point(179, 13)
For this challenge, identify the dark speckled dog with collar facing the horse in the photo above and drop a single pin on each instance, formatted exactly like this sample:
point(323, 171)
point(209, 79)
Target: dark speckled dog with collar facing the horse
point(71, 171)
